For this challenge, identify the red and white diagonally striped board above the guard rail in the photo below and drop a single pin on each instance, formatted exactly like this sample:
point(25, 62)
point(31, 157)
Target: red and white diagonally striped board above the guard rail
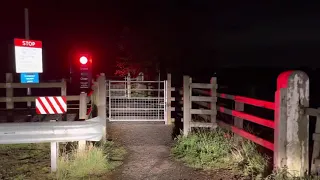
point(51, 105)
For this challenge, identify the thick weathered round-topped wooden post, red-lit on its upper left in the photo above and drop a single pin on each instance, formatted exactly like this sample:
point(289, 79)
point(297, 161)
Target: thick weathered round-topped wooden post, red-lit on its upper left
point(291, 139)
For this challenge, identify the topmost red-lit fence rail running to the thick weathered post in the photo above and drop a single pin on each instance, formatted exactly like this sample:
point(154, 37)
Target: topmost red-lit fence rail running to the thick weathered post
point(246, 100)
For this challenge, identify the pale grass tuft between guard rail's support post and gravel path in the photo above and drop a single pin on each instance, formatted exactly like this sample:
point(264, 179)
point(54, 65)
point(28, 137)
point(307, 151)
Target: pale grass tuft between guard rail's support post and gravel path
point(93, 162)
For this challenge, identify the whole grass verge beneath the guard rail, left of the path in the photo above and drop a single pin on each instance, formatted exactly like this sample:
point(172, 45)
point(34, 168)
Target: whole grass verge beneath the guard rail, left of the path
point(32, 161)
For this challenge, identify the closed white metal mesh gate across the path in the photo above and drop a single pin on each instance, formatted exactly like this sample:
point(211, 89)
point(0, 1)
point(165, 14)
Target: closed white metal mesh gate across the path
point(137, 101)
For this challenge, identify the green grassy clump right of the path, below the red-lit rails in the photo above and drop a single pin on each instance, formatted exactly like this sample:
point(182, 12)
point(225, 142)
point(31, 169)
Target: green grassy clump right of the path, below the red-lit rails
point(219, 149)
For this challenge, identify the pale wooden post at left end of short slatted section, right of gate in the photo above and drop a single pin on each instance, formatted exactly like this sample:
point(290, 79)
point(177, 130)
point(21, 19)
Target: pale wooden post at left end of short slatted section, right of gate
point(186, 104)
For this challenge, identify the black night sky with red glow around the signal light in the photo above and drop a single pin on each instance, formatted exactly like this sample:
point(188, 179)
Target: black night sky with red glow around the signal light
point(182, 35)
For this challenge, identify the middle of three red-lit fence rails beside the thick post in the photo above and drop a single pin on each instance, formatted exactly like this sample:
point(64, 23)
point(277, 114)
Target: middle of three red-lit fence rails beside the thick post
point(248, 117)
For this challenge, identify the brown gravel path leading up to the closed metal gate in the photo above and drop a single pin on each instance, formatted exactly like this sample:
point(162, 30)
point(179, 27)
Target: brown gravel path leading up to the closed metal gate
point(148, 158)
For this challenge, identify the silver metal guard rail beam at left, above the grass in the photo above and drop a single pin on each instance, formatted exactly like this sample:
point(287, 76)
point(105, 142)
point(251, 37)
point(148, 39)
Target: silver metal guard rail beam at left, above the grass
point(60, 131)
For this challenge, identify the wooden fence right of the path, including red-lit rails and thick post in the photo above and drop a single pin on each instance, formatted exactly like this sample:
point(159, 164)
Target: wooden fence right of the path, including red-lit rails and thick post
point(290, 124)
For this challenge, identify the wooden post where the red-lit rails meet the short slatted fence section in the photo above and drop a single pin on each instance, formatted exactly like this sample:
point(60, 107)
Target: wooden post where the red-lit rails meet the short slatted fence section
point(213, 103)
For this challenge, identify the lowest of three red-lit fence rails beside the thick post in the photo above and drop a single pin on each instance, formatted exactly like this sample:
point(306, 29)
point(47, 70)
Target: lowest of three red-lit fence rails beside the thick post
point(247, 135)
